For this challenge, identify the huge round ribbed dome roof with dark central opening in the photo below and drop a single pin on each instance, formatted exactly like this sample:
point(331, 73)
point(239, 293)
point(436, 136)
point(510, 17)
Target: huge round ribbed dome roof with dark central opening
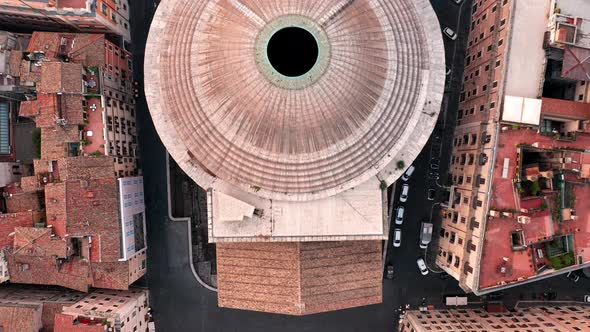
point(293, 100)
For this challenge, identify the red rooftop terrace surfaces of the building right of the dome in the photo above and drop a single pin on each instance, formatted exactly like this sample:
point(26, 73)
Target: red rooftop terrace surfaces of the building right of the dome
point(525, 232)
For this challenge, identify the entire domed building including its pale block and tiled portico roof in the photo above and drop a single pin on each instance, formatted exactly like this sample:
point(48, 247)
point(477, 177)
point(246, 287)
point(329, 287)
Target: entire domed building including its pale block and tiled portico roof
point(294, 116)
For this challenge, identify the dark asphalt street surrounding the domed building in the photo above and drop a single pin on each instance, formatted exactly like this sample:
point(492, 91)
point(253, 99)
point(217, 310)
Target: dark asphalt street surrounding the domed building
point(180, 303)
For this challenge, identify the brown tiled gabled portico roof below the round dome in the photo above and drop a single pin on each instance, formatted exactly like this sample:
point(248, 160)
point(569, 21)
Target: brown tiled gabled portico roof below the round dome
point(299, 278)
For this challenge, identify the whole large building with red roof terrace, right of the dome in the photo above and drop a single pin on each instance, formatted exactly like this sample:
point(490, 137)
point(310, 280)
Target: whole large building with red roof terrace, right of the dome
point(519, 148)
